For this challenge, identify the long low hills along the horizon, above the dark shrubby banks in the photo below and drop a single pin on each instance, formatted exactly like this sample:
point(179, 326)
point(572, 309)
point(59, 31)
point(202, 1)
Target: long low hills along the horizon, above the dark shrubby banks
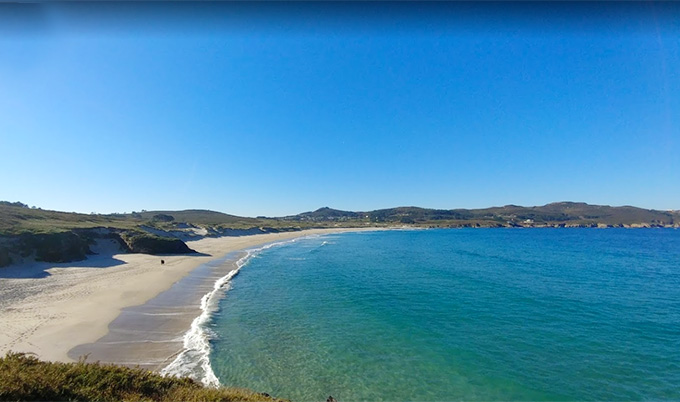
point(17, 218)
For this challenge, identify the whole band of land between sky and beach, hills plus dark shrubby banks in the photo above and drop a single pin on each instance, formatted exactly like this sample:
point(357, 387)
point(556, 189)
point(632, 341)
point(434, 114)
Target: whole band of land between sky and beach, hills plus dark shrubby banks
point(54, 236)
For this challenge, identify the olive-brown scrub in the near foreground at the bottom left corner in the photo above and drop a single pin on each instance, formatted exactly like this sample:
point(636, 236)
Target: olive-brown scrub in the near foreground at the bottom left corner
point(25, 378)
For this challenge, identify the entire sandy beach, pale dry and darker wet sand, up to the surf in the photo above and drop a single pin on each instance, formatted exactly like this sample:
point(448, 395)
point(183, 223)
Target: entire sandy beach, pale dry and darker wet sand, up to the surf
point(57, 310)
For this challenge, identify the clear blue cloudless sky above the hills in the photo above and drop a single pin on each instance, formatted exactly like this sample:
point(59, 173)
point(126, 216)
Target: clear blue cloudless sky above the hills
point(275, 109)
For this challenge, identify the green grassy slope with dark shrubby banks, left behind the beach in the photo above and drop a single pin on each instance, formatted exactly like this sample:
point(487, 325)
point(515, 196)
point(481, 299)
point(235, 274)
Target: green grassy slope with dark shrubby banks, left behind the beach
point(55, 236)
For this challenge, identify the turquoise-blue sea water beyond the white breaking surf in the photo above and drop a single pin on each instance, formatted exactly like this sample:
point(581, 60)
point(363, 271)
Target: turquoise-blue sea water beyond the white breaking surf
point(460, 314)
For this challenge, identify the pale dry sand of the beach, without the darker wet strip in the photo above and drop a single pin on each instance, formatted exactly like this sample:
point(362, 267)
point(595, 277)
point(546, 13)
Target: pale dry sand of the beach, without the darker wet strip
point(49, 309)
